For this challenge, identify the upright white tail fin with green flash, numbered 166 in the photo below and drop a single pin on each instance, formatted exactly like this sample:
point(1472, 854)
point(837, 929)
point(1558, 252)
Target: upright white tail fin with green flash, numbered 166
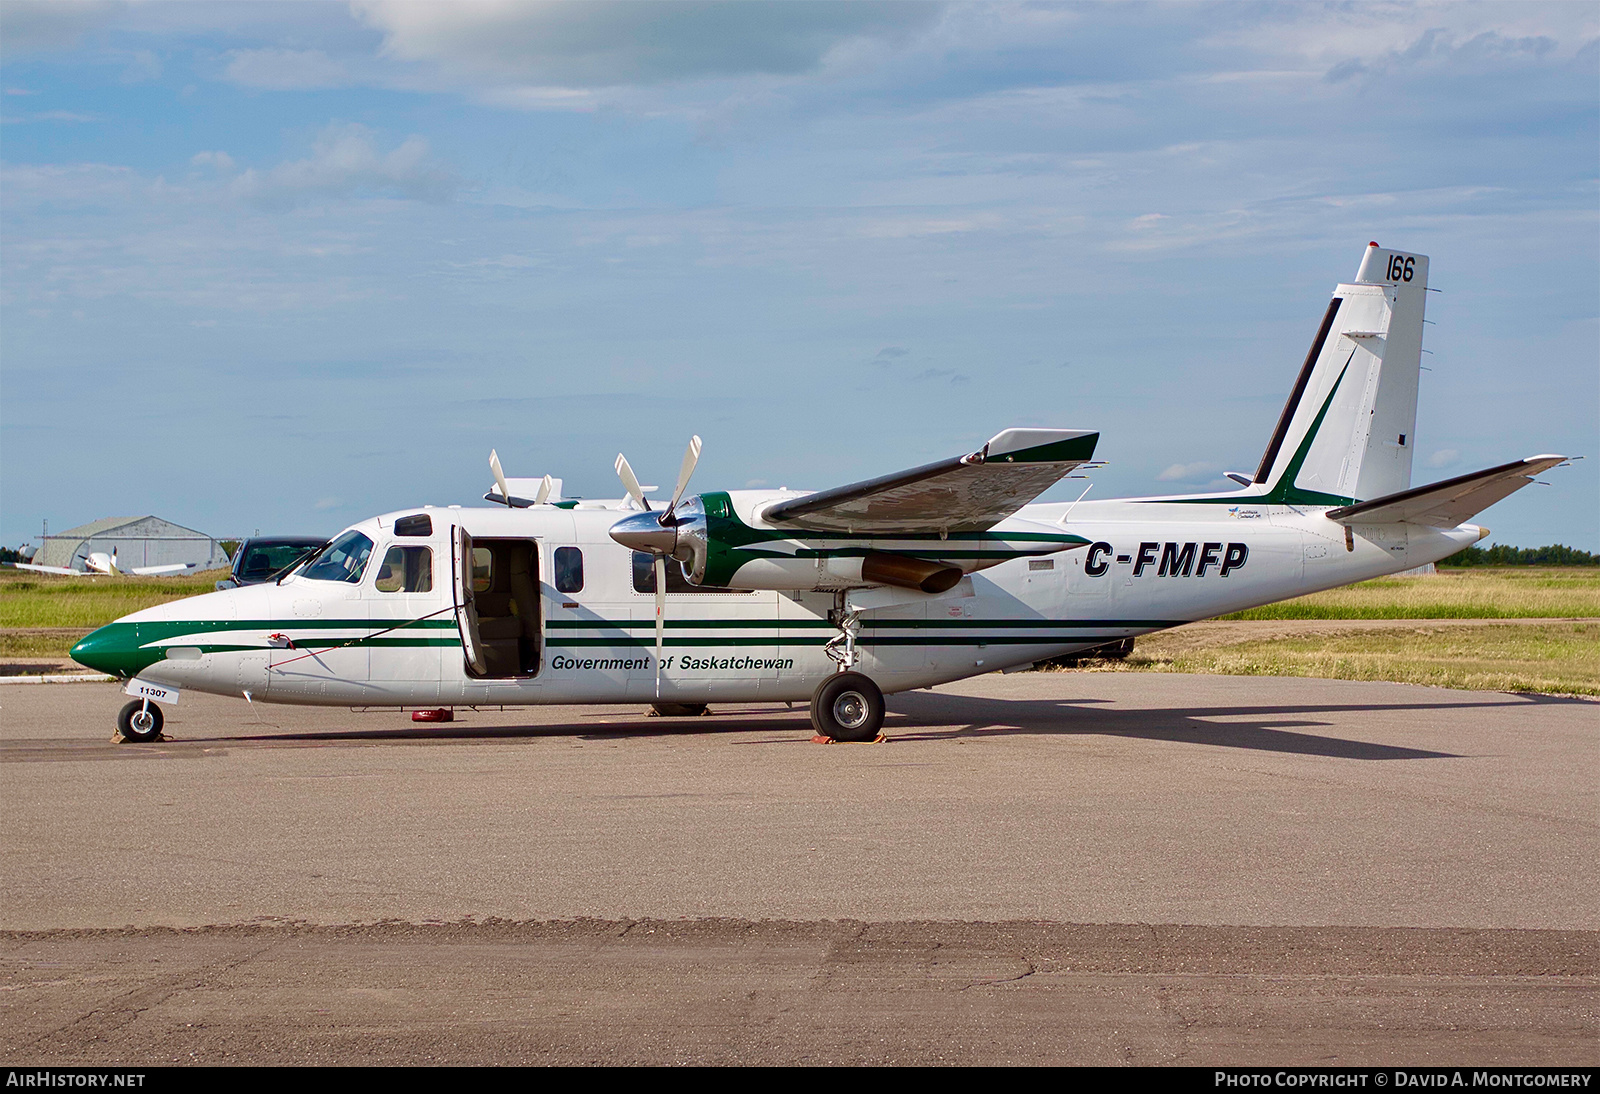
point(1350, 426)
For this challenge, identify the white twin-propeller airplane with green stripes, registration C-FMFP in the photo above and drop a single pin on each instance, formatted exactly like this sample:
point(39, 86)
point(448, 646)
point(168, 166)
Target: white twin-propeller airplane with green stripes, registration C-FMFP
point(834, 597)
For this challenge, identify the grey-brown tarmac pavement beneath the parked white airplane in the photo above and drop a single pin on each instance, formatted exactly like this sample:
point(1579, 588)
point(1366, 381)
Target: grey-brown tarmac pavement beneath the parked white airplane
point(1038, 868)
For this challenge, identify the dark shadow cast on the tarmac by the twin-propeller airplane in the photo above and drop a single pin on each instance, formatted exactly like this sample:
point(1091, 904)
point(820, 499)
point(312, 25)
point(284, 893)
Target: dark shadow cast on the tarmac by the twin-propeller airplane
point(945, 717)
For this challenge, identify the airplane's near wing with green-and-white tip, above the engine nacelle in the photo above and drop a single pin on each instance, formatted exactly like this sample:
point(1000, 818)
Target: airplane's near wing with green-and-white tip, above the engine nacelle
point(964, 493)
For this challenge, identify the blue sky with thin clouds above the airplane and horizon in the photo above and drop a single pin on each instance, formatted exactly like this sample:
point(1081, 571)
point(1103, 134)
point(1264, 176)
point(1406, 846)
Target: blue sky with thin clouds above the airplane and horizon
point(284, 266)
